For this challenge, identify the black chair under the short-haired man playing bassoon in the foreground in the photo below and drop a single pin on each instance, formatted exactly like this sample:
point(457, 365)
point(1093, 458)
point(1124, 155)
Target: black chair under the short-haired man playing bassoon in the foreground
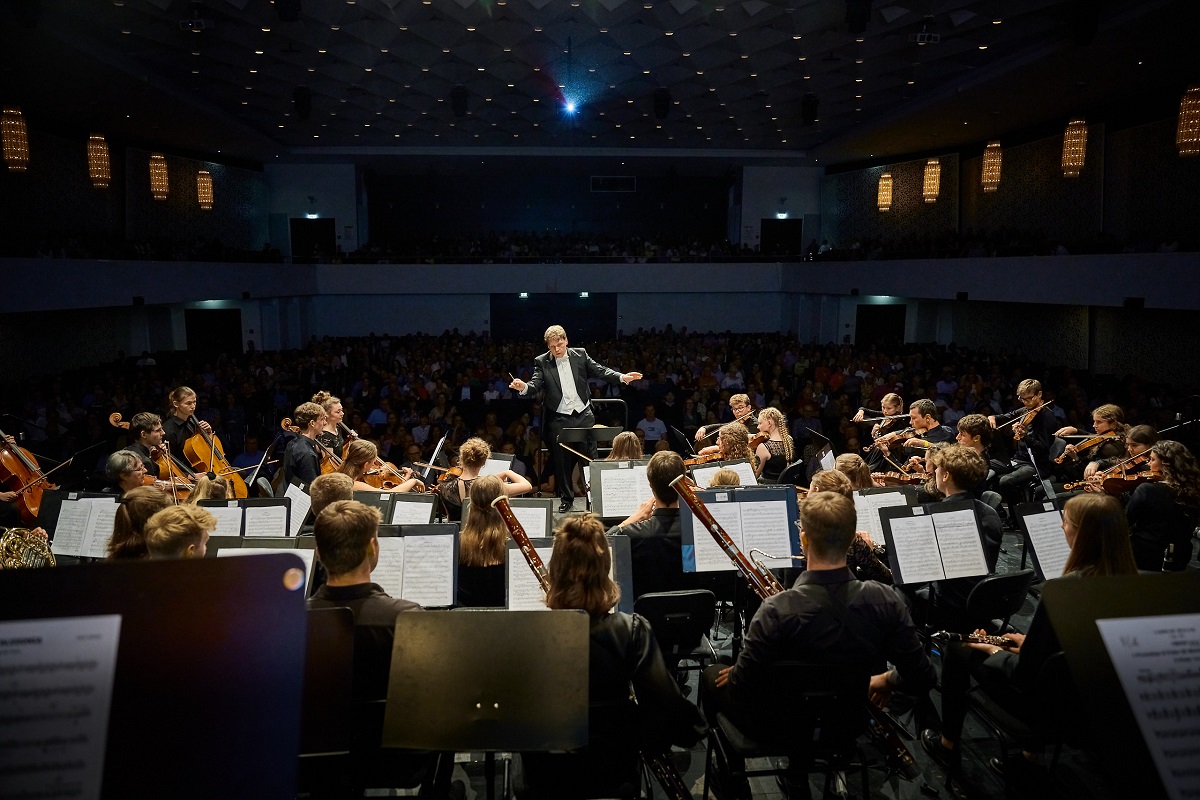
point(817, 718)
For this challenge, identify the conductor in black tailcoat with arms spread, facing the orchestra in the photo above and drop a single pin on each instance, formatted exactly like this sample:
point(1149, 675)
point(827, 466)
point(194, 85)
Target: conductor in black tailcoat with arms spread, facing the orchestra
point(562, 375)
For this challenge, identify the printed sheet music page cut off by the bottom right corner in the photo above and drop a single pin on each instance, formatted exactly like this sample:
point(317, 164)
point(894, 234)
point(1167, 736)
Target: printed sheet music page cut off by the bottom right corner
point(1157, 660)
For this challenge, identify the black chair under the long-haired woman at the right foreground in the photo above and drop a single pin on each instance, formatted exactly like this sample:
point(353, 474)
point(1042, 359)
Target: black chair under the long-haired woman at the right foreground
point(1058, 702)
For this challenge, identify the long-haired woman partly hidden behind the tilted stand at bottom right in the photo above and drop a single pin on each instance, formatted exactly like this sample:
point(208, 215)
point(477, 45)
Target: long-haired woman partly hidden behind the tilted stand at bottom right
point(1099, 538)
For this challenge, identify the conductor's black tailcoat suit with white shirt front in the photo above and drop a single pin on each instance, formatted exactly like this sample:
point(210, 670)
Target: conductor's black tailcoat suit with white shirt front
point(548, 381)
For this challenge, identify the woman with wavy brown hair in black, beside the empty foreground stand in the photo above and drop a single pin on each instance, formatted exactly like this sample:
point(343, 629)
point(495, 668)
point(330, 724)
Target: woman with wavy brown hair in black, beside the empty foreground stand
point(622, 655)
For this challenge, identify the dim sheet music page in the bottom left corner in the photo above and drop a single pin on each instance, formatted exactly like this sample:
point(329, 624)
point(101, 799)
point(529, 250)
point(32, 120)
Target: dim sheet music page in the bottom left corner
point(57, 696)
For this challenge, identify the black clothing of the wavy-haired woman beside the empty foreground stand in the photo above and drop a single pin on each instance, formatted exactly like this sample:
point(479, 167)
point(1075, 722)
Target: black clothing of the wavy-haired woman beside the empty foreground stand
point(622, 654)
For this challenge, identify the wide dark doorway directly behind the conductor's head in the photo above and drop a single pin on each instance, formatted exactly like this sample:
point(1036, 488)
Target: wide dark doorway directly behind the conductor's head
point(586, 320)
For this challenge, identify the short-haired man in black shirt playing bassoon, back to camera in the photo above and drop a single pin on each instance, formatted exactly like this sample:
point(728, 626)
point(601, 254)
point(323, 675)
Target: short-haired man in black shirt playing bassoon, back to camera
point(827, 618)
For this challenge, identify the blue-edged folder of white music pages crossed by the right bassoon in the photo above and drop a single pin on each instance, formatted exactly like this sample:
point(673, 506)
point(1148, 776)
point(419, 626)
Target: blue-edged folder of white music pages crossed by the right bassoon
point(772, 530)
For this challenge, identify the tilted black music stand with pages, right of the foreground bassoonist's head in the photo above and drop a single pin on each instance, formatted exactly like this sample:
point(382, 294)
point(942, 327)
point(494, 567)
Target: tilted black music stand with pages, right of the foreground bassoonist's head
point(933, 555)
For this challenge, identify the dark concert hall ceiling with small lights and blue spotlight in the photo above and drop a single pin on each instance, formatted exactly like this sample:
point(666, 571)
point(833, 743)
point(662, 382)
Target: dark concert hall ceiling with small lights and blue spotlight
point(671, 77)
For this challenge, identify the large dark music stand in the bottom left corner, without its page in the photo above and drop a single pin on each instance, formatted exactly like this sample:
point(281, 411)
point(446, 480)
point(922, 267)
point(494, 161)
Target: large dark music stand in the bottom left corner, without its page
point(220, 611)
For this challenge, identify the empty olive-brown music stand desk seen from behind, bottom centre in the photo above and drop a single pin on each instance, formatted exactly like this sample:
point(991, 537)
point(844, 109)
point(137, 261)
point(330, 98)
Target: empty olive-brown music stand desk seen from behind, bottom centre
point(493, 681)
